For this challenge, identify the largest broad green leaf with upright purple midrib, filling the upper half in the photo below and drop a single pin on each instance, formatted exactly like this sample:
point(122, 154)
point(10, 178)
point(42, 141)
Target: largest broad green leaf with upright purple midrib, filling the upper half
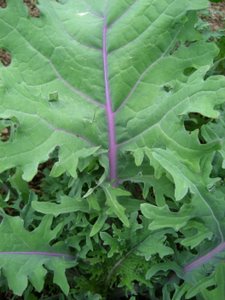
point(118, 79)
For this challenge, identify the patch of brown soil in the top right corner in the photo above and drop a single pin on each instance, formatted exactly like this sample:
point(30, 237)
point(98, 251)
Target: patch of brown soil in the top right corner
point(216, 19)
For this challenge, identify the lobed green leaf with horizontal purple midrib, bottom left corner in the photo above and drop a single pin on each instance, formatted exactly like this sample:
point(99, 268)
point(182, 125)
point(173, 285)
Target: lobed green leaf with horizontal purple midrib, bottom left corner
point(28, 255)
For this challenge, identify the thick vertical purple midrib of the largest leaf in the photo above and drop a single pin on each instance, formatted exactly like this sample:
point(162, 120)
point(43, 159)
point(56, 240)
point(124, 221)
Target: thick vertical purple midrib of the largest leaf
point(112, 153)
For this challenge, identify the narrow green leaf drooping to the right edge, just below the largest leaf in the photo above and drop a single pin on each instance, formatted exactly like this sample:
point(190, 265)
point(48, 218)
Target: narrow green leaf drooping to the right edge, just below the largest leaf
point(206, 204)
